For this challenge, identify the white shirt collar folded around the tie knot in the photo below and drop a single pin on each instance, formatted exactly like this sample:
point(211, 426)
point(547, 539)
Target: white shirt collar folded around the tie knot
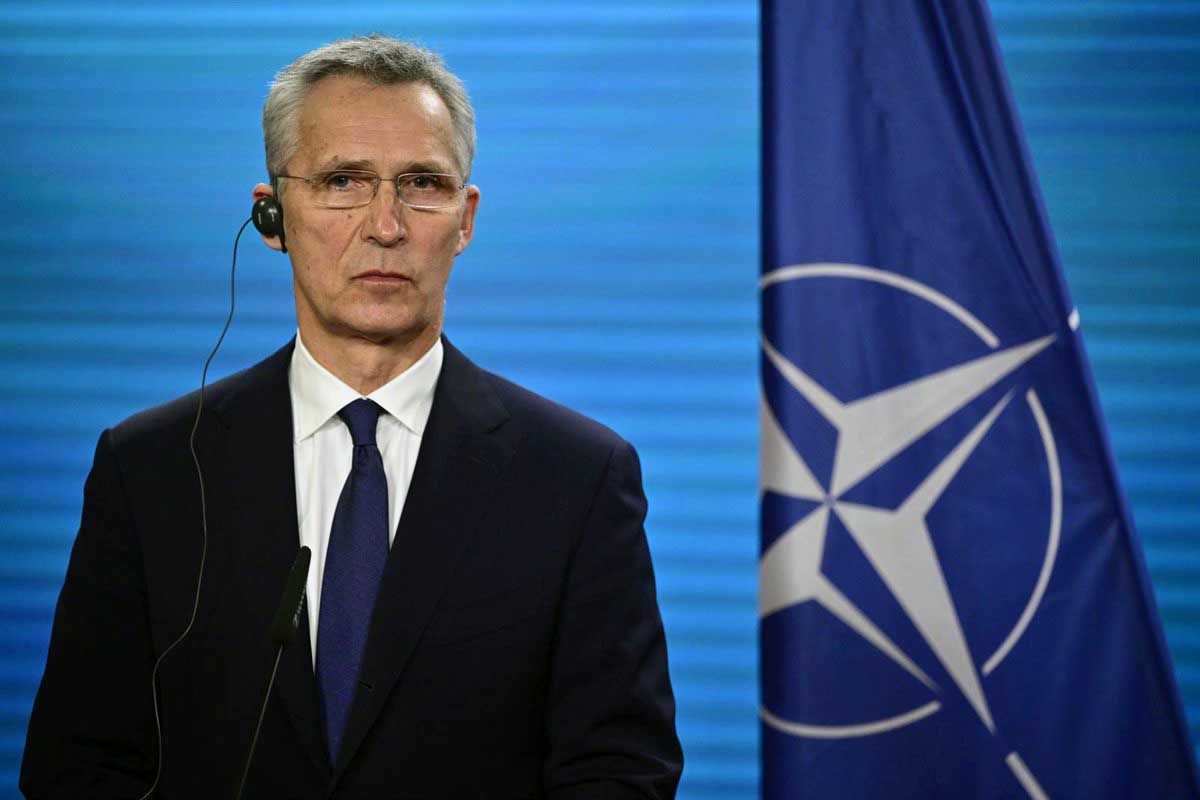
point(317, 395)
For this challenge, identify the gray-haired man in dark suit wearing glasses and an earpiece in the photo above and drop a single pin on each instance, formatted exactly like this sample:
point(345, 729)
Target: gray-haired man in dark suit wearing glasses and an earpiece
point(481, 618)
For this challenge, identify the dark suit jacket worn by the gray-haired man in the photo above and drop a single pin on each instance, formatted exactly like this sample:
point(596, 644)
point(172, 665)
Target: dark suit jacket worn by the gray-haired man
point(515, 651)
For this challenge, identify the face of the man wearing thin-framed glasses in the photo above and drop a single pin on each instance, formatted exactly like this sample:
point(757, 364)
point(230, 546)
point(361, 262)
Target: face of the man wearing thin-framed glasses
point(376, 273)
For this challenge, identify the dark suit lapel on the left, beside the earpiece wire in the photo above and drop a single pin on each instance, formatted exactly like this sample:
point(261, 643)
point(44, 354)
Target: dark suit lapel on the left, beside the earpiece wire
point(266, 534)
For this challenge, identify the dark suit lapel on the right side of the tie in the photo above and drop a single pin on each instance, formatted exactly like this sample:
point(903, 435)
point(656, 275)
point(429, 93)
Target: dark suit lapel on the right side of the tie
point(458, 470)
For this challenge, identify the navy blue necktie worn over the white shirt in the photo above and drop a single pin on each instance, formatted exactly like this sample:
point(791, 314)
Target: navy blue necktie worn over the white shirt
point(355, 562)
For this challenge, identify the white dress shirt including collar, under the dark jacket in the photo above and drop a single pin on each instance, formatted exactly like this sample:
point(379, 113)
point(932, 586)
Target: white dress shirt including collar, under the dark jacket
point(325, 450)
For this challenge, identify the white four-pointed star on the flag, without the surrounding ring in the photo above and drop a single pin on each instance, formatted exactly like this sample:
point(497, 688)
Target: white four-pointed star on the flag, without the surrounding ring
point(871, 432)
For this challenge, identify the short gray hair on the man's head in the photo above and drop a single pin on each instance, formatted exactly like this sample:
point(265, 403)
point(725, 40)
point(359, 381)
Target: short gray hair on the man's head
point(376, 58)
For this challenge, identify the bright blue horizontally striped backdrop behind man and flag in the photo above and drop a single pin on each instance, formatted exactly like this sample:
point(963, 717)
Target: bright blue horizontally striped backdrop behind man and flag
point(131, 141)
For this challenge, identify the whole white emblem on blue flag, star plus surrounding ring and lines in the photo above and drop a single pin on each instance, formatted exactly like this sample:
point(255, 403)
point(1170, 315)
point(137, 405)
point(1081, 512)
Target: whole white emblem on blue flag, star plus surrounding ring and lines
point(871, 432)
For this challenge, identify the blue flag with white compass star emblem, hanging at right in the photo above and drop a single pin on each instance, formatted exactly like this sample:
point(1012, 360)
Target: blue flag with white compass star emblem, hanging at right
point(953, 603)
